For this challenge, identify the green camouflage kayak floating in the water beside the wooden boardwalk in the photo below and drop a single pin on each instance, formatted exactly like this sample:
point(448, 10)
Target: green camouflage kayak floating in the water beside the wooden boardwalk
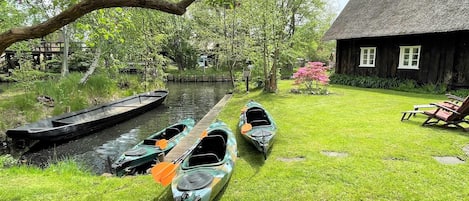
point(143, 155)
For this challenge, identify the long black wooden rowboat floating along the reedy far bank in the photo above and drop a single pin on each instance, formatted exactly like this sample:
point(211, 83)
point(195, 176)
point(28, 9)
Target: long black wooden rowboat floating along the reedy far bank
point(74, 124)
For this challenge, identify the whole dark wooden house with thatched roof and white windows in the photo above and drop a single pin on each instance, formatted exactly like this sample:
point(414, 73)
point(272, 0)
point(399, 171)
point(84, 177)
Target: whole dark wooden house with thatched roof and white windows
point(423, 40)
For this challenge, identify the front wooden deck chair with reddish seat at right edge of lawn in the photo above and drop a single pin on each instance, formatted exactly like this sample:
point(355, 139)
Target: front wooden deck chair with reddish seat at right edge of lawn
point(448, 115)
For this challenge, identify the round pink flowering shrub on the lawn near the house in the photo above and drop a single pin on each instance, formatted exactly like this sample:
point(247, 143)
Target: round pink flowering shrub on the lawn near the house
point(314, 76)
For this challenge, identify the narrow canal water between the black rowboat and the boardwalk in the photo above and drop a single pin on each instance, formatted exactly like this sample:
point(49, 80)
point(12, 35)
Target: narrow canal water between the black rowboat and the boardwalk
point(100, 149)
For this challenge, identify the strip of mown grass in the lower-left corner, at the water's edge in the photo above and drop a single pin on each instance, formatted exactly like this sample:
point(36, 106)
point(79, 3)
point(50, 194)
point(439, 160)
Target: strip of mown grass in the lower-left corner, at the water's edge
point(67, 181)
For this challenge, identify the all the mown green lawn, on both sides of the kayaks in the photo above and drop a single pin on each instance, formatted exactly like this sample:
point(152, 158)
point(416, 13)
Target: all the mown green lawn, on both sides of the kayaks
point(387, 159)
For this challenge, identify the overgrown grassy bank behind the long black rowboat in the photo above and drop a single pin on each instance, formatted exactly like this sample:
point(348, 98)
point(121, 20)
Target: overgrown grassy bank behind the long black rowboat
point(20, 102)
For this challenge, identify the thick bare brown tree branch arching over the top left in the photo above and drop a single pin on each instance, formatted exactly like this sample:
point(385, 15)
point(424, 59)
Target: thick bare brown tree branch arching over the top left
point(78, 10)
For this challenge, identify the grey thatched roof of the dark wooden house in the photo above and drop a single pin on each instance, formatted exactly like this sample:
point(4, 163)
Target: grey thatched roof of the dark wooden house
point(374, 18)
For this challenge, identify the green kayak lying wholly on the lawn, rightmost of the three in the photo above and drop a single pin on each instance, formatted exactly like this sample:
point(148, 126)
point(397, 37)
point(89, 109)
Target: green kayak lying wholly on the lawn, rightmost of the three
point(257, 126)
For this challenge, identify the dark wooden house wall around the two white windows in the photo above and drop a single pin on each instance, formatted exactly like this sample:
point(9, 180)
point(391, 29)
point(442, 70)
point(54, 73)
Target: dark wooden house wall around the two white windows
point(444, 58)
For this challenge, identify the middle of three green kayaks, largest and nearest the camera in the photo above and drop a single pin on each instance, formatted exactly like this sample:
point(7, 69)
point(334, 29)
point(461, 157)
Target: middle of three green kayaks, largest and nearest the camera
point(208, 167)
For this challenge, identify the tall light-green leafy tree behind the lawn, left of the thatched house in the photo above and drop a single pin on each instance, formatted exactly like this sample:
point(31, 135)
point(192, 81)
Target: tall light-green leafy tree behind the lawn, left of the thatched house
point(264, 32)
